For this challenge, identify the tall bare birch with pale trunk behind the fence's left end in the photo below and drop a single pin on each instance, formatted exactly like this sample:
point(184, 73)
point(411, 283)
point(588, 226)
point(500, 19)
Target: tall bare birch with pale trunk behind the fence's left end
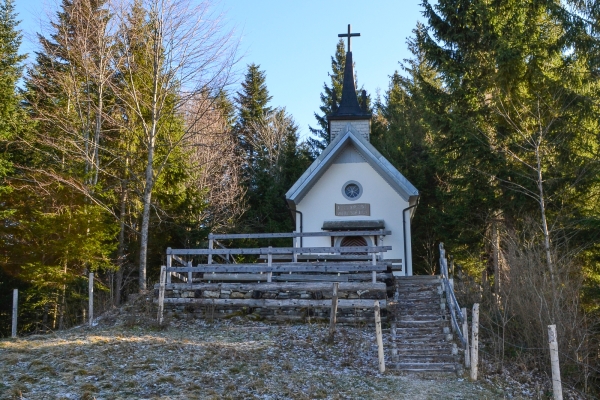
point(181, 51)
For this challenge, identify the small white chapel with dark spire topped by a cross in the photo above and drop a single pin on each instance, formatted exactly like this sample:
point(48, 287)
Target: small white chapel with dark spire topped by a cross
point(351, 186)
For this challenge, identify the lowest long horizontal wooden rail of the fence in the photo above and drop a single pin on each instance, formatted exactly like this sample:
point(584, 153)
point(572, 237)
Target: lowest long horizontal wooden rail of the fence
point(342, 303)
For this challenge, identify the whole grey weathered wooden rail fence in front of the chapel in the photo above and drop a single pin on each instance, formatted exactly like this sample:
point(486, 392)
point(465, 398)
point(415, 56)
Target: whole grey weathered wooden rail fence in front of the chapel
point(201, 281)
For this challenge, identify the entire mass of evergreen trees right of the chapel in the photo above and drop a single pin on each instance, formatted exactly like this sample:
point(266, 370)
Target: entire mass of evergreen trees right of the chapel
point(494, 121)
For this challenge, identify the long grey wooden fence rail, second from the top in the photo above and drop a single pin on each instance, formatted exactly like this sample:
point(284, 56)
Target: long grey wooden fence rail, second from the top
point(281, 250)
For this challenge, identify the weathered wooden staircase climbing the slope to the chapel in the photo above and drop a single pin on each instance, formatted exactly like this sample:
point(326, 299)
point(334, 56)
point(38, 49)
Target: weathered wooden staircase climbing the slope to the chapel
point(421, 338)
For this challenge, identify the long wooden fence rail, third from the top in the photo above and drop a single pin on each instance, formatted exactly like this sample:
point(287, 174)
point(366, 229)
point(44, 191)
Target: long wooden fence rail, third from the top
point(283, 267)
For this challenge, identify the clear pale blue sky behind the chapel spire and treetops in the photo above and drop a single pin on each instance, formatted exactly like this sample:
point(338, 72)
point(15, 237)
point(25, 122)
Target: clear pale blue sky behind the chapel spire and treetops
point(293, 41)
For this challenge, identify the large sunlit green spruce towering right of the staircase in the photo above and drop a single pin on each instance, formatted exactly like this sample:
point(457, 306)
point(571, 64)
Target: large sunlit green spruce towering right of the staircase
point(496, 64)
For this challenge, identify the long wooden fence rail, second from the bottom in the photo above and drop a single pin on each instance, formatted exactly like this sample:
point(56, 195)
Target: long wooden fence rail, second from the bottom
point(282, 286)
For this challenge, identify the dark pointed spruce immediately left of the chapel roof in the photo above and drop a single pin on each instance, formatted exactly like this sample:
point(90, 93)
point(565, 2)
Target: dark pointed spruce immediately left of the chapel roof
point(273, 158)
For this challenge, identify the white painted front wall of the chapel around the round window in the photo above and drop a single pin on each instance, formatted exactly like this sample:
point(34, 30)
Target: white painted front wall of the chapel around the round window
point(386, 204)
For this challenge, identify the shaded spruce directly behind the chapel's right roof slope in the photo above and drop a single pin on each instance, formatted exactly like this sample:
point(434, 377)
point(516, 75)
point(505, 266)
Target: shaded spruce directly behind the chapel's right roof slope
point(401, 133)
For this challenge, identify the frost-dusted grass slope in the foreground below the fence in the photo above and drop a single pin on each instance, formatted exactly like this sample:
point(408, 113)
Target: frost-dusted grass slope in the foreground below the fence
point(127, 356)
